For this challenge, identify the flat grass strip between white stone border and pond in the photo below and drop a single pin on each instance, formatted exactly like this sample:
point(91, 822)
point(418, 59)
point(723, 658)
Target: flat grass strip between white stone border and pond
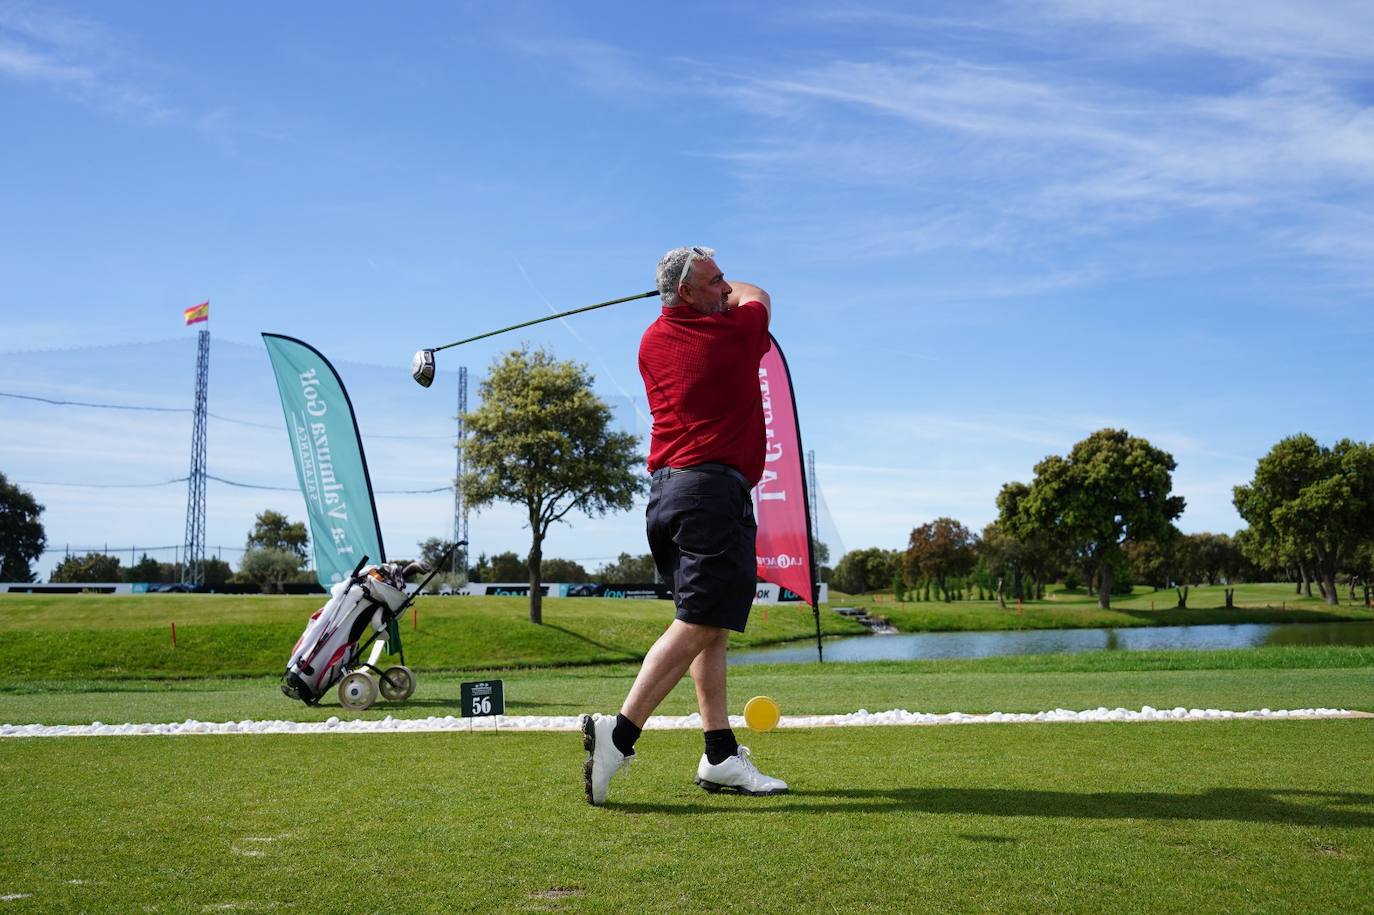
point(1239, 681)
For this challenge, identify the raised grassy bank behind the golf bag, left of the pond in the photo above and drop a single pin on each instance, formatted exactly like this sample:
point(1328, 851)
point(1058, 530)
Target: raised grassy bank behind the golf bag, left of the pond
point(119, 637)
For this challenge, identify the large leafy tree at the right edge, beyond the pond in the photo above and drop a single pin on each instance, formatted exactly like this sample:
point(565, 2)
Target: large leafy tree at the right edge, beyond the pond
point(1311, 504)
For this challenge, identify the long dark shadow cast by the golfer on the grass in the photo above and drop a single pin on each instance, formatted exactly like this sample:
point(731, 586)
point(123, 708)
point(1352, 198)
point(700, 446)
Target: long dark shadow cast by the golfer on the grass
point(1244, 806)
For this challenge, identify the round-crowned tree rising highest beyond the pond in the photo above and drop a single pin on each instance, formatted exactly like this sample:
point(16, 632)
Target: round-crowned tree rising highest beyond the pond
point(1114, 487)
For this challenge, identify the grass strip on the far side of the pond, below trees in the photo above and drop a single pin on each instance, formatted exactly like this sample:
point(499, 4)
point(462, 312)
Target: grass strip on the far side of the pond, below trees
point(1075, 609)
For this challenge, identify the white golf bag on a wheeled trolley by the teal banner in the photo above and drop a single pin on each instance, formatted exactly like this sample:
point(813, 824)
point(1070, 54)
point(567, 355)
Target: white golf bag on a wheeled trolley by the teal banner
point(330, 649)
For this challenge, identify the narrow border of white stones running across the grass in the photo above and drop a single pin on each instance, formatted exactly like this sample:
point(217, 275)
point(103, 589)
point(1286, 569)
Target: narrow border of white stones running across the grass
point(664, 723)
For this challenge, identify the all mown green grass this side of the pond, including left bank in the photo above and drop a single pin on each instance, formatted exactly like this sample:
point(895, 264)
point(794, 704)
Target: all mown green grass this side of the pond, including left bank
point(1192, 817)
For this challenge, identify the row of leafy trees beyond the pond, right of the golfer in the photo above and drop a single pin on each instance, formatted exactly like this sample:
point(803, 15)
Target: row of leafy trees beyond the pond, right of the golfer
point(1104, 516)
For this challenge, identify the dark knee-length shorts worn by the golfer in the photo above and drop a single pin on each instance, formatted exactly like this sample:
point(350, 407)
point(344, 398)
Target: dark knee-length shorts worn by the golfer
point(701, 531)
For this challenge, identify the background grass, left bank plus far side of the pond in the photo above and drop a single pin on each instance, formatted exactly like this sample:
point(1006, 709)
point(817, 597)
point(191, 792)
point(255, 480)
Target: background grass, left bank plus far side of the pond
point(128, 637)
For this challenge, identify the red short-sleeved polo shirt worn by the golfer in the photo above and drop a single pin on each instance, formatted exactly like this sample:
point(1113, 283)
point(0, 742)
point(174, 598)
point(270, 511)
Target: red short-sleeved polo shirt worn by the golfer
point(701, 374)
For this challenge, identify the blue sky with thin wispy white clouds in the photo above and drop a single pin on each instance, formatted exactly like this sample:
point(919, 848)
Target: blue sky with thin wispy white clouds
point(987, 230)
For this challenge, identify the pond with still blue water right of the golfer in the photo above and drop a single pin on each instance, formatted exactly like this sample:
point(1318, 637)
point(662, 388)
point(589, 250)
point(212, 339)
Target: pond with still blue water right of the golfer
point(987, 645)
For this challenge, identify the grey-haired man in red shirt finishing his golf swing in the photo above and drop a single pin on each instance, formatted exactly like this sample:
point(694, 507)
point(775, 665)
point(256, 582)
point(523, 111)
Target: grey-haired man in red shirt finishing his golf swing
point(700, 362)
